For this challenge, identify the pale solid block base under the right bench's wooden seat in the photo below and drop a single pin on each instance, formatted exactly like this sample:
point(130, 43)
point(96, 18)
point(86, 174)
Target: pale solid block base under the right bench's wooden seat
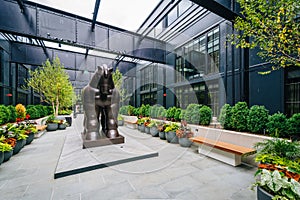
point(226, 157)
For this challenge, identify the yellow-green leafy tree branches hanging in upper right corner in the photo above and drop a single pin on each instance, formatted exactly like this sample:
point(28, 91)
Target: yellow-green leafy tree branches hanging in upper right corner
point(273, 27)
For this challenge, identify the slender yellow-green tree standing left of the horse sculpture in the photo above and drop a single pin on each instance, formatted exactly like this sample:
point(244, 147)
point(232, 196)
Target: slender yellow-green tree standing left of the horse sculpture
point(51, 81)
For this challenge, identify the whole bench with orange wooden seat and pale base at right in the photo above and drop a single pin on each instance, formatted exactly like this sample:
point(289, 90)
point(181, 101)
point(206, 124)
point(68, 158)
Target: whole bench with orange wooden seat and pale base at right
point(223, 151)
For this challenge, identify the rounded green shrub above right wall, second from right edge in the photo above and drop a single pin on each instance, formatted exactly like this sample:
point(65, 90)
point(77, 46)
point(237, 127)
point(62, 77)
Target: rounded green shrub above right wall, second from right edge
point(277, 125)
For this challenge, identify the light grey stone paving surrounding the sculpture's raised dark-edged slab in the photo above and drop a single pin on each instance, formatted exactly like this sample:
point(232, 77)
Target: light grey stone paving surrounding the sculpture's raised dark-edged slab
point(177, 173)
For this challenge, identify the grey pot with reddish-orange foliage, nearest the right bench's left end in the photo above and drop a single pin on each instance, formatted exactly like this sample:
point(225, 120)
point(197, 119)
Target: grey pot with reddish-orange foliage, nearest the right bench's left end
point(183, 134)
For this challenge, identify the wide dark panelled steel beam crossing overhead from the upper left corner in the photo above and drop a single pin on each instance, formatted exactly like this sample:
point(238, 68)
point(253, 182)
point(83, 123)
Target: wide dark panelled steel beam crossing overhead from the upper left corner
point(49, 24)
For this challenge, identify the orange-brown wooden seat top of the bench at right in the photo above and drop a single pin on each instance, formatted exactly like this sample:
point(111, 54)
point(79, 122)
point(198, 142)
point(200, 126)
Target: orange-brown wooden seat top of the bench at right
point(222, 145)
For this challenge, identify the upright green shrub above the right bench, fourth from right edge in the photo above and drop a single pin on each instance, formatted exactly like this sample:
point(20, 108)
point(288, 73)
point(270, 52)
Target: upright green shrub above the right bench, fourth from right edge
point(240, 113)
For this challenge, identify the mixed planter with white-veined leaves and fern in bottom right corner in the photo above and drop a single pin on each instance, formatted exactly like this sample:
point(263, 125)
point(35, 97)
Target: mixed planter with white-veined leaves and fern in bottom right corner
point(278, 173)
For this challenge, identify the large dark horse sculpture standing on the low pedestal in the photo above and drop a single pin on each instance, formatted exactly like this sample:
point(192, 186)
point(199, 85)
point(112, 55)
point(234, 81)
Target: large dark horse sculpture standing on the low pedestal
point(100, 101)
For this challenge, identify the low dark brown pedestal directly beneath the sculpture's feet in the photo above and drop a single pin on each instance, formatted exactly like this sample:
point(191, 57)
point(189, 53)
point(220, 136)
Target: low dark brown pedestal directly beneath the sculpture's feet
point(101, 142)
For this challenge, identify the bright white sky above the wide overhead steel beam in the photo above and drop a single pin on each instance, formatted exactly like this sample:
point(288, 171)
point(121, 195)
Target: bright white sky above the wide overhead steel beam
point(126, 14)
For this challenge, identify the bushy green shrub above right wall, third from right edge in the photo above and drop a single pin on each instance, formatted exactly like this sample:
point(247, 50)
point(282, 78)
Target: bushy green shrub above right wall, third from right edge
point(257, 119)
